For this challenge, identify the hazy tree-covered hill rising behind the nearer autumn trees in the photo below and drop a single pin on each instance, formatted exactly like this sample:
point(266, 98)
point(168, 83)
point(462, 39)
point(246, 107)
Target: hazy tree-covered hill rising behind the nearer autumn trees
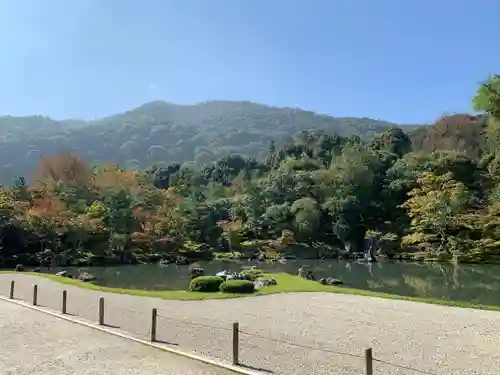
point(160, 132)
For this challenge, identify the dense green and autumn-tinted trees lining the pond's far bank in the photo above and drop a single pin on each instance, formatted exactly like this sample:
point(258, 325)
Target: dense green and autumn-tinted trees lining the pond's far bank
point(319, 192)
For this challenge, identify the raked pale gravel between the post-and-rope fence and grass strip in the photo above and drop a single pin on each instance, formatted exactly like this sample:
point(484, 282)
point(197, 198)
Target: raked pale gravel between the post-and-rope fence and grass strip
point(427, 338)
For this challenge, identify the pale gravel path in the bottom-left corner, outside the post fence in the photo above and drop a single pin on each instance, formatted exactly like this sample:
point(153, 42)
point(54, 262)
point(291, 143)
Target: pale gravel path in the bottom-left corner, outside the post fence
point(35, 343)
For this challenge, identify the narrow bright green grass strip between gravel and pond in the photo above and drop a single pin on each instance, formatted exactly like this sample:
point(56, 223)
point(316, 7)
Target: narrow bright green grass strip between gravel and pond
point(286, 283)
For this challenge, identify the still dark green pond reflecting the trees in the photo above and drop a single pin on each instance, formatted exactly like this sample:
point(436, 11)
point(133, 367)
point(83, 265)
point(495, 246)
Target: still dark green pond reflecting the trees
point(473, 283)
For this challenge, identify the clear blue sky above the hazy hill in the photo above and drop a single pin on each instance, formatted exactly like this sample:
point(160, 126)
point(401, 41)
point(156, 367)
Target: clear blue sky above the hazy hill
point(407, 61)
